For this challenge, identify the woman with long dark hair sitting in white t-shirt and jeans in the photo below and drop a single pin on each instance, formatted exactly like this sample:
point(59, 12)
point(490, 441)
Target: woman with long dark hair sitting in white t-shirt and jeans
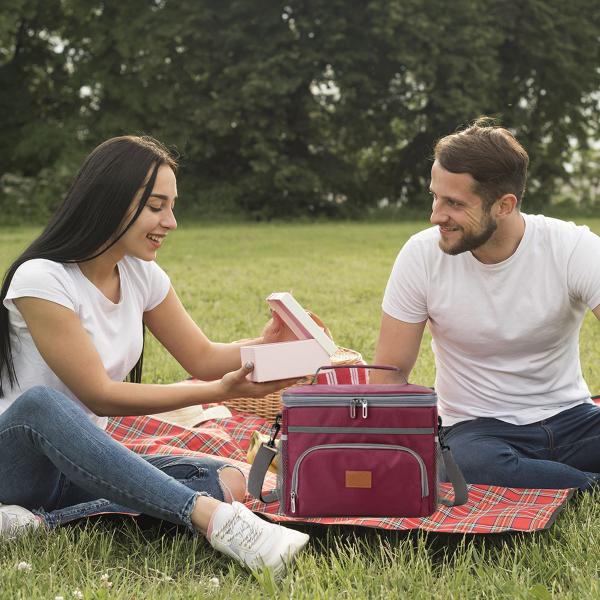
point(74, 306)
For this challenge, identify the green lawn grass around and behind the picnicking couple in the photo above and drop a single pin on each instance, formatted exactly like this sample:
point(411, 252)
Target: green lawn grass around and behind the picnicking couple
point(223, 274)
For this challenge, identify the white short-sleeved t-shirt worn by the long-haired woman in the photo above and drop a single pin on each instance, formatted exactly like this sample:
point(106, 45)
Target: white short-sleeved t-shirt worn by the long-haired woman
point(115, 329)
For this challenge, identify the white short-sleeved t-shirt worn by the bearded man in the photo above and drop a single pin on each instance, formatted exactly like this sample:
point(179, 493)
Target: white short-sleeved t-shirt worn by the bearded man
point(505, 335)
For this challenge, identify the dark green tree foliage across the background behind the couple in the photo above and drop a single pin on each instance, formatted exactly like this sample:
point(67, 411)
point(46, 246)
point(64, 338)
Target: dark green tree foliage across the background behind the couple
point(312, 107)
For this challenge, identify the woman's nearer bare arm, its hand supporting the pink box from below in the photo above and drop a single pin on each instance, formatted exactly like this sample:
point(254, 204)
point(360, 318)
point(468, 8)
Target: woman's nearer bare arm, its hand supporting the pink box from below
point(70, 353)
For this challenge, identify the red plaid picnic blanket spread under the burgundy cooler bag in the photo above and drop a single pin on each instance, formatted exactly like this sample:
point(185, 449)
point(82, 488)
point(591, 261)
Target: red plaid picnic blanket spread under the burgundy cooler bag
point(490, 509)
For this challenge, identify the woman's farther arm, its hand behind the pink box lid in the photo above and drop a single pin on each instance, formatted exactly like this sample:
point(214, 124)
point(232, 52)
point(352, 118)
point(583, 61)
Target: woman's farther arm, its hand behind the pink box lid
point(173, 327)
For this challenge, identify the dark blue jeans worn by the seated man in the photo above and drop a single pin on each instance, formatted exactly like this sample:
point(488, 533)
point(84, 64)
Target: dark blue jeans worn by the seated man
point(560, 452)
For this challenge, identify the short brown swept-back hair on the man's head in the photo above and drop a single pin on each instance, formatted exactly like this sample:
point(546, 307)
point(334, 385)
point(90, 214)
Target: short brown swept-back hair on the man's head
point(491, 155)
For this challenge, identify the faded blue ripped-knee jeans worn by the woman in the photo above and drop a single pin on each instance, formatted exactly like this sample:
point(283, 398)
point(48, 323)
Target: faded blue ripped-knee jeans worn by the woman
point(58, 464)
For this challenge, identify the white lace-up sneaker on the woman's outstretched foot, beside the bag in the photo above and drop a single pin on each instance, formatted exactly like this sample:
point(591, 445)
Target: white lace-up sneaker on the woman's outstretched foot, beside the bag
point(254, 542)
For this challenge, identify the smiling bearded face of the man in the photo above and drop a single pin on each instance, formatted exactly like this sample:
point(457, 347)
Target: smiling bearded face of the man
point(463, 223)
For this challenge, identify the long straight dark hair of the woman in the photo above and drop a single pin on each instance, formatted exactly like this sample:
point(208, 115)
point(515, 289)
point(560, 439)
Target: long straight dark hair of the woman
point(86, 224)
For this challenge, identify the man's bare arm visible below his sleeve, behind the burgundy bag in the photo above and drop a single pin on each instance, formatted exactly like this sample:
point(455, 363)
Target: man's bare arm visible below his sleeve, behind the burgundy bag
point(398, 345)
